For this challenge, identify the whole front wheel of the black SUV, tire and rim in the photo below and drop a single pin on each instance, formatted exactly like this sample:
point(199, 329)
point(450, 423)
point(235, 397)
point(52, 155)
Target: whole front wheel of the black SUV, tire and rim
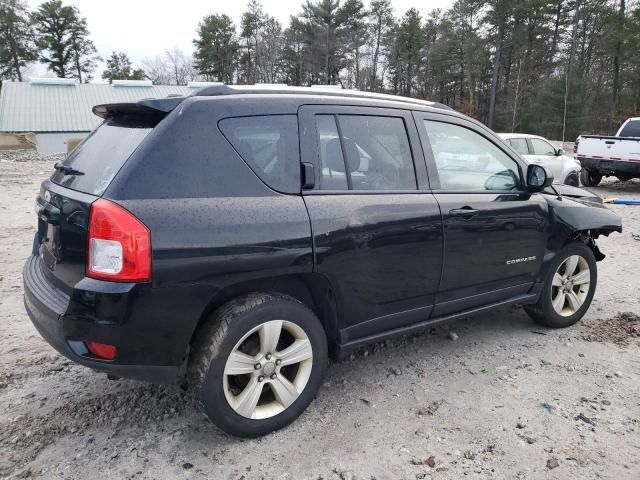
point(568, 289)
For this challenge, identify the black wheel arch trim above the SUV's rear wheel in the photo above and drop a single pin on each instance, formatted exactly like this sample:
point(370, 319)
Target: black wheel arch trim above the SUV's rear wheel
point(312, 289)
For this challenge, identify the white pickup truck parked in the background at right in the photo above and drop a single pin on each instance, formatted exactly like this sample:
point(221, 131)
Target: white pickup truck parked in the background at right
point(617, 156)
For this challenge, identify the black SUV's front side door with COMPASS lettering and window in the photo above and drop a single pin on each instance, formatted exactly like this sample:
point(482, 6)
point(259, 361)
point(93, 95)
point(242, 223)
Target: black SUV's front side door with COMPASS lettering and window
point(494, 232)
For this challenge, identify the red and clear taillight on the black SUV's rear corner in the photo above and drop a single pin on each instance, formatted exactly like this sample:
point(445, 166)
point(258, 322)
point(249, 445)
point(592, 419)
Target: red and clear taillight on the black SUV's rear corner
point(119, 245)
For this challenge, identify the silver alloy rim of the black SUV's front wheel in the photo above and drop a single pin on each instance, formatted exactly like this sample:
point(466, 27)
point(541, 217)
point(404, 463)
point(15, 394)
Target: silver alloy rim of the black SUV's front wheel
point(570, 285)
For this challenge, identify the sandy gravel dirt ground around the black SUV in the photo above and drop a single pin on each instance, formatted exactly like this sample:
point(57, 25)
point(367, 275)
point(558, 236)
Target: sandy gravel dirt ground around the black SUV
point(505, 399)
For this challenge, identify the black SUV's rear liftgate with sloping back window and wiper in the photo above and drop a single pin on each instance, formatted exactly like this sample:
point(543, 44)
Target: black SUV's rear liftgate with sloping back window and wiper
point(65, 199)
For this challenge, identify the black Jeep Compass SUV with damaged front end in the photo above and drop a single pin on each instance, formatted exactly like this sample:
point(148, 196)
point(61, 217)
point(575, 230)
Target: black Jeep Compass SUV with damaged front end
point(241, 235)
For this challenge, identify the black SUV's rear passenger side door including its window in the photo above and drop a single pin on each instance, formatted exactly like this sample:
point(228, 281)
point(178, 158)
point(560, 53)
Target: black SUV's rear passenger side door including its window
point(377, 230)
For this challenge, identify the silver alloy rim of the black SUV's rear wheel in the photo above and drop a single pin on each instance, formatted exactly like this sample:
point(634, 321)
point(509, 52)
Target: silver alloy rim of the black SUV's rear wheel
point(268, 369)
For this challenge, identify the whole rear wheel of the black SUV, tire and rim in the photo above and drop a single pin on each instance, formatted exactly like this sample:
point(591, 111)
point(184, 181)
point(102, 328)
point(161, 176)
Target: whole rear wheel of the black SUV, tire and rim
point(259, 364)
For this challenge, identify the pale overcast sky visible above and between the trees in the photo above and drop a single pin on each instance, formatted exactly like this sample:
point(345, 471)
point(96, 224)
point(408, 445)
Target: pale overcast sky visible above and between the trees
point(145, 28)
